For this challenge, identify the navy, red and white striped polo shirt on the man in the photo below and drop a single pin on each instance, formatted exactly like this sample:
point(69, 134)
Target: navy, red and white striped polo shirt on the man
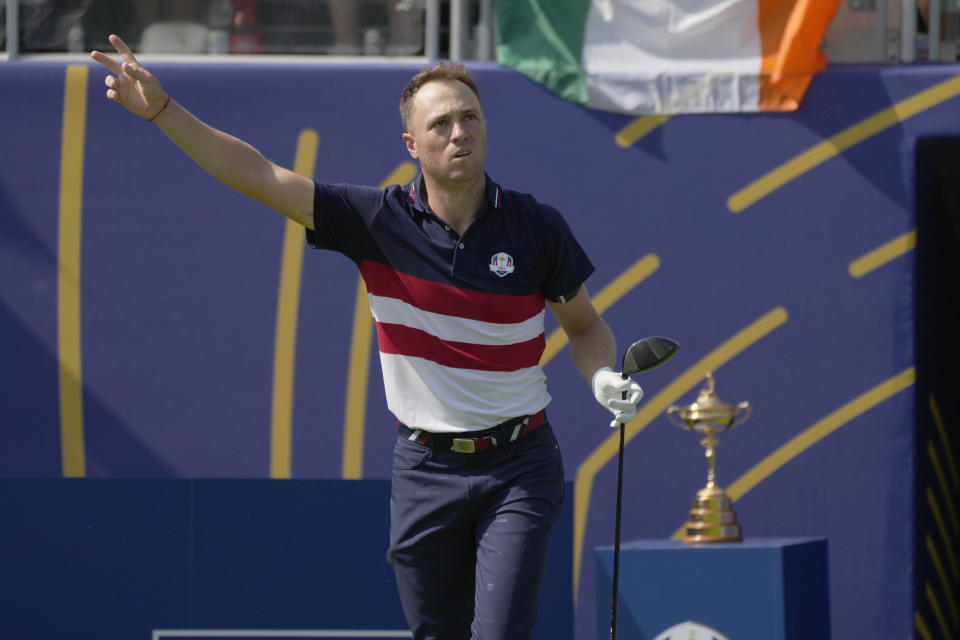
point(459, 318)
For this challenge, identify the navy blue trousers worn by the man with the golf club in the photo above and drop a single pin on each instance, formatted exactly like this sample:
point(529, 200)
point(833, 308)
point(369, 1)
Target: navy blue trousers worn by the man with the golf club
point(469, 535)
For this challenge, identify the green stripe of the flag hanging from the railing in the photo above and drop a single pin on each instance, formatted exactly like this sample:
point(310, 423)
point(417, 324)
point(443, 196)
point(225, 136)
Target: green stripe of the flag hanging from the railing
point(543, 40)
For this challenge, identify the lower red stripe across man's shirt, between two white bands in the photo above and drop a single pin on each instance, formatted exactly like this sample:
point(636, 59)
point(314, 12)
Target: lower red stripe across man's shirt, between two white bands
point(406, 341)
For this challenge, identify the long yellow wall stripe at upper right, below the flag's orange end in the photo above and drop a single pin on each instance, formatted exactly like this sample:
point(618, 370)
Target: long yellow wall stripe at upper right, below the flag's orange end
point(842, 141)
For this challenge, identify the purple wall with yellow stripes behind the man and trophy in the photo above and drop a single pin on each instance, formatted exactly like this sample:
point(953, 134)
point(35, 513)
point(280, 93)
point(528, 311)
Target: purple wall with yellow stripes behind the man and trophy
point(179, 280)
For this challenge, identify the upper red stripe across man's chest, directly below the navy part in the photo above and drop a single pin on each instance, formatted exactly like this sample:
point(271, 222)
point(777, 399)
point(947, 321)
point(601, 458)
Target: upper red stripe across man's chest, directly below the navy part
point(382, 280)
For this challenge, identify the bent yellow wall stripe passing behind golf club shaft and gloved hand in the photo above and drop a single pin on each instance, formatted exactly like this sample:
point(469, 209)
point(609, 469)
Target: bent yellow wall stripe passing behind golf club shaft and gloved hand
point(587, 471)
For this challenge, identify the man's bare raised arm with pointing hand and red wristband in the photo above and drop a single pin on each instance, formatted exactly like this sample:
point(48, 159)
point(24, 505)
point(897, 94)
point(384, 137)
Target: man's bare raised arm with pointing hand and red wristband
point(225, 157)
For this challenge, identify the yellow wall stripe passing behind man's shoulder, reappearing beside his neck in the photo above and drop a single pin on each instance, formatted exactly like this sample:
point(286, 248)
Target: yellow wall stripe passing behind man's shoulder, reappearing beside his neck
point(355, 408)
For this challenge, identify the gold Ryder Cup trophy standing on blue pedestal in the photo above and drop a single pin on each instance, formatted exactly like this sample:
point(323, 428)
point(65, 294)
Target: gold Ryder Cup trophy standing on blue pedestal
point(712, 518)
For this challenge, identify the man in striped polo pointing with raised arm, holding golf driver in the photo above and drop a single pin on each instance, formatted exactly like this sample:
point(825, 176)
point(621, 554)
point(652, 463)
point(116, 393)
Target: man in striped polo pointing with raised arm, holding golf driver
point(458, 271)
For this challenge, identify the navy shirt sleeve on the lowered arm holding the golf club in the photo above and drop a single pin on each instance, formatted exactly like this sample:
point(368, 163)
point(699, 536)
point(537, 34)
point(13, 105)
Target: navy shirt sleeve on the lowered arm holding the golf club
point(566, 265)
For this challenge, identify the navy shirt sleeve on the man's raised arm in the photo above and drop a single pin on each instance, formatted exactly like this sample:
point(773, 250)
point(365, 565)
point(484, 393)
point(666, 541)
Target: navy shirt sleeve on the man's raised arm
point(342, 215)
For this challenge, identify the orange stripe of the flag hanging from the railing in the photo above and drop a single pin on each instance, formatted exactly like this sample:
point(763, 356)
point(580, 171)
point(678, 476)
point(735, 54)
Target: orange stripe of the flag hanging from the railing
point(790, 35)
